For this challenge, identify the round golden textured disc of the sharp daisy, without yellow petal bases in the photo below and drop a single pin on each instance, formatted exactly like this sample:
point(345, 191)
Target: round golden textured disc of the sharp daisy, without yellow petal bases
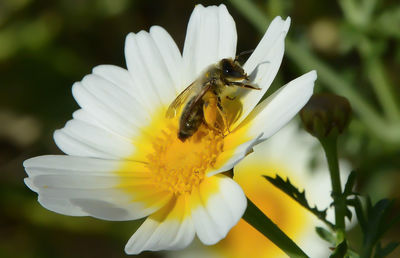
point(179, 166)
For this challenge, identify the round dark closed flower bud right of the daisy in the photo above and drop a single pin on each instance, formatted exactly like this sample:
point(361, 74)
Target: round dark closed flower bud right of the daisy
point(326, 115)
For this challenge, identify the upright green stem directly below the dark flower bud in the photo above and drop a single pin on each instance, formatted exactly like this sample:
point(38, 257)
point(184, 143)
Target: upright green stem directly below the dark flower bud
point(330, 147)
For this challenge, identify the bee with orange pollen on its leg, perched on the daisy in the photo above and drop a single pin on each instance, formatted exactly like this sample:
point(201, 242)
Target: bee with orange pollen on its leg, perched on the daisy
point(202, 98)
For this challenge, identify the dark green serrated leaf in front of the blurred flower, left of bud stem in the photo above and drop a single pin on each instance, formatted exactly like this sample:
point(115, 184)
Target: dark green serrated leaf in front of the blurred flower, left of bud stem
point(298, 196)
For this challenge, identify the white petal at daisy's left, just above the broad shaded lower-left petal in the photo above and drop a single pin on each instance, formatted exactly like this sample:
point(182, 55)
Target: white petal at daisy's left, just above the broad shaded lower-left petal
point(82, 139)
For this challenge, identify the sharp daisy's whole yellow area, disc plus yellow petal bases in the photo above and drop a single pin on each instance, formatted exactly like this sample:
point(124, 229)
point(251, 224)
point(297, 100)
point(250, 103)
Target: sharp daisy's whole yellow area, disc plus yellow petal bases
point(166, 163)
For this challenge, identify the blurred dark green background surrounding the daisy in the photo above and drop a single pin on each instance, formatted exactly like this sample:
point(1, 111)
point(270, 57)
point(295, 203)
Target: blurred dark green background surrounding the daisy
point(47, 45)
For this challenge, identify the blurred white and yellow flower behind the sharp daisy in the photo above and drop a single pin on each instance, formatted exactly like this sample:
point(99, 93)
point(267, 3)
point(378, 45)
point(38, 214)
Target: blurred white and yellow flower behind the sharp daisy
point(288, 154)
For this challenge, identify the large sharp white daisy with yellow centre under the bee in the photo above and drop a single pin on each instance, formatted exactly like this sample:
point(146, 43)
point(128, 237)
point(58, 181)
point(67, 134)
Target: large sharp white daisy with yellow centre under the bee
point(124, 159)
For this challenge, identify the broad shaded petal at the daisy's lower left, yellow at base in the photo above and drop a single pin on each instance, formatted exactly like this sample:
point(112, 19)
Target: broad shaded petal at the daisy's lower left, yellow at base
point(80, 186)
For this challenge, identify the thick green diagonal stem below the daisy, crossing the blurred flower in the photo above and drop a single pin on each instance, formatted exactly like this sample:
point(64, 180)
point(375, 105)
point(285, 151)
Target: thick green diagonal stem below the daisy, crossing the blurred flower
point(269, 229)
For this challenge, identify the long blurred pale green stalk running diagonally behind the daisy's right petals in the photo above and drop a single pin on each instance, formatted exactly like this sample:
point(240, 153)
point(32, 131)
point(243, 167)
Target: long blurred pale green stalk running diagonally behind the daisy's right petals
point(305, 60)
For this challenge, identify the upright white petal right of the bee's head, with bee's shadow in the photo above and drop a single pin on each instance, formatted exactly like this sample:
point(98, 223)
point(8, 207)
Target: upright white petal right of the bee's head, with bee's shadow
point(264, 63)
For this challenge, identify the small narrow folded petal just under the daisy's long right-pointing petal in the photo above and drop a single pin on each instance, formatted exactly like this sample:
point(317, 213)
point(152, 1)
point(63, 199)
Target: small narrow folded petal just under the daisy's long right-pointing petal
point(229, 158)
